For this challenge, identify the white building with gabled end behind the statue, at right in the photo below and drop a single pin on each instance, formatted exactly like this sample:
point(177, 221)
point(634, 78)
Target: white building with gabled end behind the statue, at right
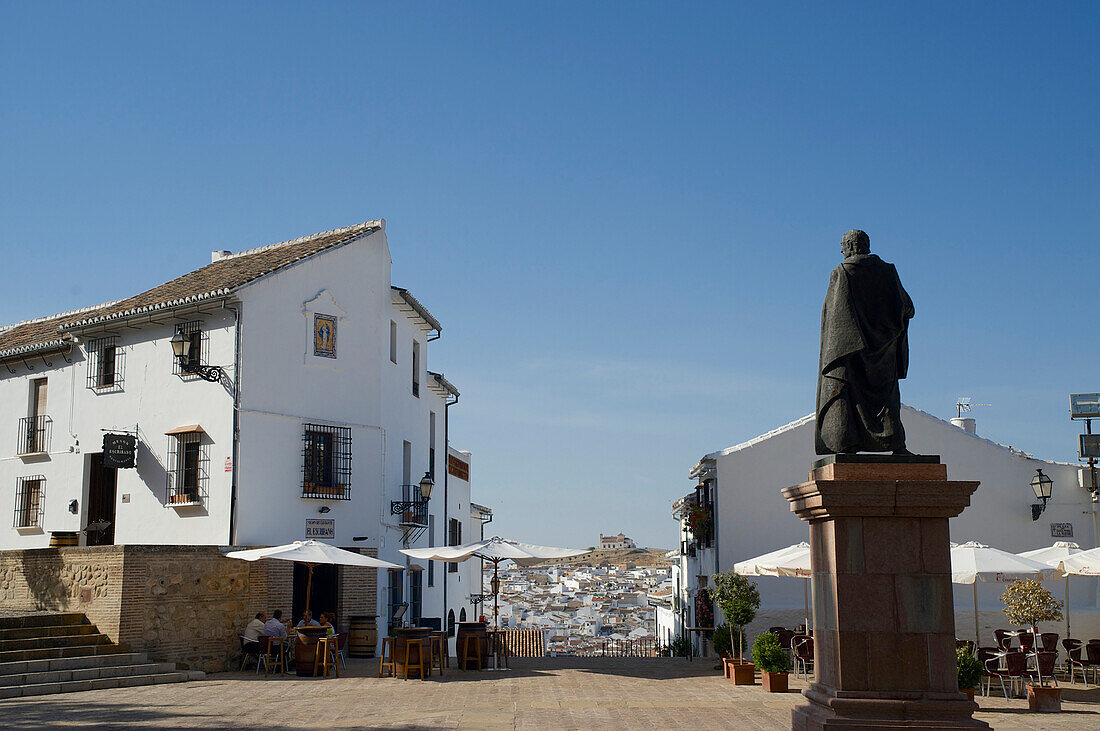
point(740, 488)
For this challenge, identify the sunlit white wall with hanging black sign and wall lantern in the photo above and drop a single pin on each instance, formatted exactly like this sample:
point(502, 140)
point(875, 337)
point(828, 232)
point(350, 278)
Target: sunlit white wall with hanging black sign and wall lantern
point(152, 400)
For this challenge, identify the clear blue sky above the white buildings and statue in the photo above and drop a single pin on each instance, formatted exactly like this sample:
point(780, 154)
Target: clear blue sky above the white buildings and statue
point(629, 211)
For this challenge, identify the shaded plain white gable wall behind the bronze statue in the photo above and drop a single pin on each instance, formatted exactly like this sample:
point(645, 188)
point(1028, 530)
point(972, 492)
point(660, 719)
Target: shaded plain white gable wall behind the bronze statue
point(754, 518)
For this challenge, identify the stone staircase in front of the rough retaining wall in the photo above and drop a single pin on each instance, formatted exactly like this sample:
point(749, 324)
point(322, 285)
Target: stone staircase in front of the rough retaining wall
point(61, 654)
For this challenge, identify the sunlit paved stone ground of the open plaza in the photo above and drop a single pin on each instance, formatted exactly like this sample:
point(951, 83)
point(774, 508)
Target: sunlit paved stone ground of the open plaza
point(562, 693)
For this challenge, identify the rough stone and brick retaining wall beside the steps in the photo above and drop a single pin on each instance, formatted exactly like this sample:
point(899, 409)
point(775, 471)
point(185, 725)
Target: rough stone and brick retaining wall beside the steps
point(186, 605)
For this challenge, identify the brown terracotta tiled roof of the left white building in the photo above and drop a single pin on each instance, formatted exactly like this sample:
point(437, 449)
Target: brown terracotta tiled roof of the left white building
point(216, 280)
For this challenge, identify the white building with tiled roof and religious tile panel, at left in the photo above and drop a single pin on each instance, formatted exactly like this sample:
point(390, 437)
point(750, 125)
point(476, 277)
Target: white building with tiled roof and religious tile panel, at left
point(324, 416)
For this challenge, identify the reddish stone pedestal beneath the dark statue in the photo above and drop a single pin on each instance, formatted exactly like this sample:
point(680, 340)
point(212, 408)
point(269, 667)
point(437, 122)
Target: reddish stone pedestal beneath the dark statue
point(884, 615)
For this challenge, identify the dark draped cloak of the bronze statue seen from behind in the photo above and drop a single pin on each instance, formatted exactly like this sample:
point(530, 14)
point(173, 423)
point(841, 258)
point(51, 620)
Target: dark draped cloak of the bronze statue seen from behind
point(865, 352)
